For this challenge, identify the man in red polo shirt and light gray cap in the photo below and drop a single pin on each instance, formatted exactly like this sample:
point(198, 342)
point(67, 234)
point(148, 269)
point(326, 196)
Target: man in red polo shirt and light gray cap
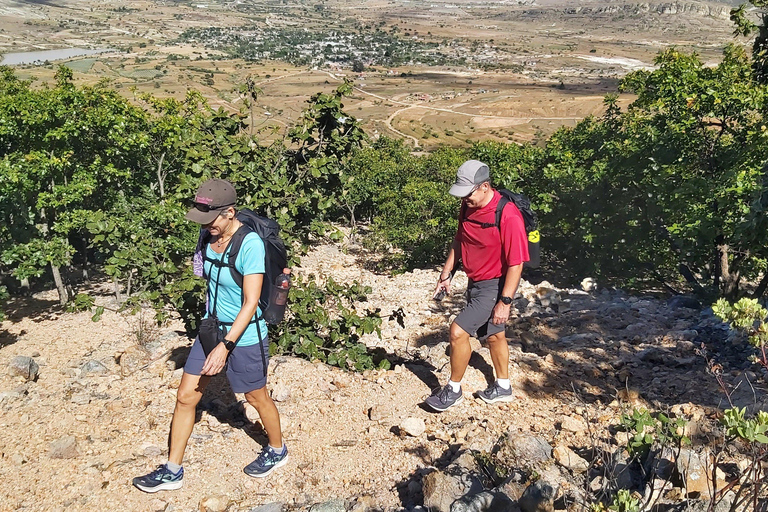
point(493, 260)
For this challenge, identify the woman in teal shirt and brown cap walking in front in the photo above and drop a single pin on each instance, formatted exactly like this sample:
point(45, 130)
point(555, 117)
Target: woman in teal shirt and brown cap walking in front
point(243, 350)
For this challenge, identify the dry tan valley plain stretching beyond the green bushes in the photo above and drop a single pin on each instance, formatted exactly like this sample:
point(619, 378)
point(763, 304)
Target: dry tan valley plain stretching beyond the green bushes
point(553, 61)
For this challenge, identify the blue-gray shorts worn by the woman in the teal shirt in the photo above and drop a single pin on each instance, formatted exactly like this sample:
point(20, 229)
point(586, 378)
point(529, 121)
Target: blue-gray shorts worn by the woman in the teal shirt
point(246, 369)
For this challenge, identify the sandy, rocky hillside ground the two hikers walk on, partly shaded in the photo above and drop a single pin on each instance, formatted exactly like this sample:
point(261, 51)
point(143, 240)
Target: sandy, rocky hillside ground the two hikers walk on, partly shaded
point(98, 410)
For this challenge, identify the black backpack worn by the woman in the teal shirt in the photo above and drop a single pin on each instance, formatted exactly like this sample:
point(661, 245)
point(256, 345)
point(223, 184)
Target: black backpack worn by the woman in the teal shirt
point(274, 248)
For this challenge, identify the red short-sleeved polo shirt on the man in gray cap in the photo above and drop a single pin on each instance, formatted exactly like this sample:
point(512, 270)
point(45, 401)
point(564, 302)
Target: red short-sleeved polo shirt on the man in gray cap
point(484, 253)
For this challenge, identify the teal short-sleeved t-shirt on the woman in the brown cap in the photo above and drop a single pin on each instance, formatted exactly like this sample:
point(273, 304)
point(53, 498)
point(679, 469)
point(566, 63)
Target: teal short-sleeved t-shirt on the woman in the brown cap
point(250, 260)
